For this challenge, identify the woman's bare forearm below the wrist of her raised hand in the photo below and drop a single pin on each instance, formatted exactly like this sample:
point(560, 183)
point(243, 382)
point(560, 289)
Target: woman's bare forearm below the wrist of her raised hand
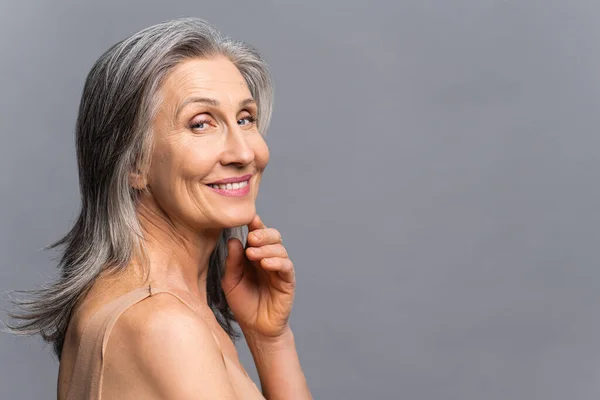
point(278, 366)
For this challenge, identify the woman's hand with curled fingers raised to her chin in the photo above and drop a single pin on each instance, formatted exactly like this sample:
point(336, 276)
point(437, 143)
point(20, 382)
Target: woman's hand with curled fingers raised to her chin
point(259, 282)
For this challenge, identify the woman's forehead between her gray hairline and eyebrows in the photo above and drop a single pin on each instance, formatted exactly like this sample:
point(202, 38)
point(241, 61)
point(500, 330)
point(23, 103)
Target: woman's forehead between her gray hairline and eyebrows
point(217, 78)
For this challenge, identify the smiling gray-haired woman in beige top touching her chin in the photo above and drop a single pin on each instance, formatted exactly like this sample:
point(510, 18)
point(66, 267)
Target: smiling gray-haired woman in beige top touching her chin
point(170, 153)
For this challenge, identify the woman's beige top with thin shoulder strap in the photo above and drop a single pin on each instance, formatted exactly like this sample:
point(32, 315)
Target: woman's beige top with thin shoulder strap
point(86, 381)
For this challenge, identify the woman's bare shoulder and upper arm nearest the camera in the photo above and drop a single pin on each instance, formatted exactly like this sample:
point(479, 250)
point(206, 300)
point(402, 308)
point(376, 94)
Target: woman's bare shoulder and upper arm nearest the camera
point(171, 349)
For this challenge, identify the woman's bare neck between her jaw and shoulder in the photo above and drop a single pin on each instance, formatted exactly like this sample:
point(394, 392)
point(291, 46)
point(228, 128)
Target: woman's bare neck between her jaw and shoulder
point(178, 255)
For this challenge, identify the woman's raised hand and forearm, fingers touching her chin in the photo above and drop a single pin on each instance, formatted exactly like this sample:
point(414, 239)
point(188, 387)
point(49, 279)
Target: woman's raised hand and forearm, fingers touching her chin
point(259, 283)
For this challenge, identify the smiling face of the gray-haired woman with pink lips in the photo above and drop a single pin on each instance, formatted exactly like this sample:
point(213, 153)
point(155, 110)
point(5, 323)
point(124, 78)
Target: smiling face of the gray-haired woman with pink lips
point(205, 131)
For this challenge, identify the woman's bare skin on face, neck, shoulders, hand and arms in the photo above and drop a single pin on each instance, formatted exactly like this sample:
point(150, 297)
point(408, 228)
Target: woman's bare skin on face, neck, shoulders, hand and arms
point(160, 338)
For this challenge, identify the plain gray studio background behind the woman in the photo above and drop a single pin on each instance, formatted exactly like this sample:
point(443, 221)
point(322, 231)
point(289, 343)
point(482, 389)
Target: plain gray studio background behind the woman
point(434, 173)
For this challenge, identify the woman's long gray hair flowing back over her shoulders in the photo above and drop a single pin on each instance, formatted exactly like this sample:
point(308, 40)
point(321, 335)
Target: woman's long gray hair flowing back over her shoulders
point(113, 138)
